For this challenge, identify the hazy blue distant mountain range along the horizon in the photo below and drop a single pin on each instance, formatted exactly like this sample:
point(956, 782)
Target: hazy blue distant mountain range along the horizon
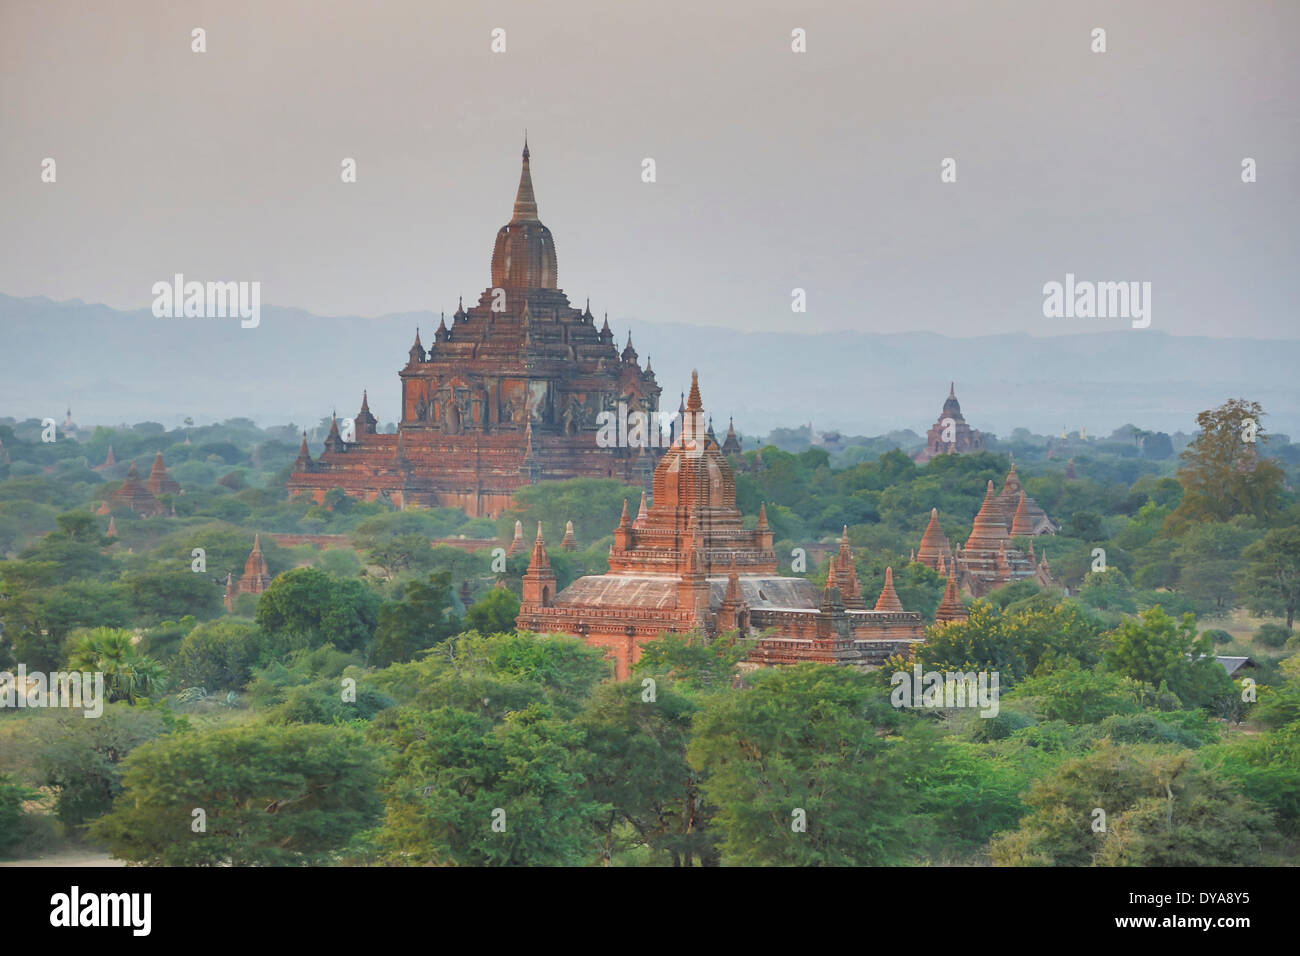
point(112, 367)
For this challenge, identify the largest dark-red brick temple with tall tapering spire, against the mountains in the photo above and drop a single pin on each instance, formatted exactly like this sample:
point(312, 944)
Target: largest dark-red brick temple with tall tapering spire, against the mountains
point(508, 395)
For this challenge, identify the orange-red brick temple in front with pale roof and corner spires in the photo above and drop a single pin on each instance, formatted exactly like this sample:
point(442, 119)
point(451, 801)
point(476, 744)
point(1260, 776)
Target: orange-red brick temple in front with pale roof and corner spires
point(688, 565)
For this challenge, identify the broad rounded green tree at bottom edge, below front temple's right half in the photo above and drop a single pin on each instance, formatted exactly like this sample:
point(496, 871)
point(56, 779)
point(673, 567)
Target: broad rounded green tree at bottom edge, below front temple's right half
point(799, 772)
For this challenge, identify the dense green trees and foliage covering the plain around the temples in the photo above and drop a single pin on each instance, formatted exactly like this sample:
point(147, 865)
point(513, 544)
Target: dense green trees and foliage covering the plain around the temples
point(376, 704)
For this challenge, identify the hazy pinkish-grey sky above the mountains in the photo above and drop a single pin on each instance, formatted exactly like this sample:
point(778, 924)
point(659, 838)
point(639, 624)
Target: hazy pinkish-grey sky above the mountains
point(775, 170)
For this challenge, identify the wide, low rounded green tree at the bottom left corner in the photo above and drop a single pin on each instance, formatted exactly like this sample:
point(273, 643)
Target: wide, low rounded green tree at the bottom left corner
point(270, 795)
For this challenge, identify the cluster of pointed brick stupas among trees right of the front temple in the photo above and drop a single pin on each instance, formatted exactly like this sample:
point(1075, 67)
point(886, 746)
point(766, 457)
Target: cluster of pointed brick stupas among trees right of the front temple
point(989, 560)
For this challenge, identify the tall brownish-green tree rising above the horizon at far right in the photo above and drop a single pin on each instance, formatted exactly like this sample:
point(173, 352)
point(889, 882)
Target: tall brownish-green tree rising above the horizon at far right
point(1224, 473)
